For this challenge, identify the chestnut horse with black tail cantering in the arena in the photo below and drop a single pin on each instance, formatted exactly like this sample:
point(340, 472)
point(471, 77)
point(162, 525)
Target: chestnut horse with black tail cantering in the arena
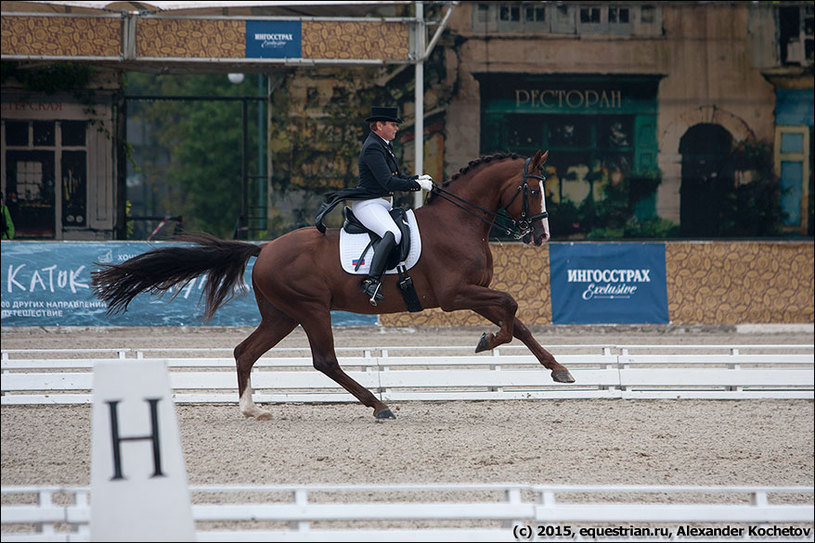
point(298, 279)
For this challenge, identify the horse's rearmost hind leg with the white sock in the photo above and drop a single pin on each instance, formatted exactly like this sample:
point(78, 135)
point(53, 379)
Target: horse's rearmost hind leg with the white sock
point(273, 327)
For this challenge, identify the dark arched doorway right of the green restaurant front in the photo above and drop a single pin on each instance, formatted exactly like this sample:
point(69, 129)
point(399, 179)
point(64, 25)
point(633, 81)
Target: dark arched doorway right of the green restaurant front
point(707, 176)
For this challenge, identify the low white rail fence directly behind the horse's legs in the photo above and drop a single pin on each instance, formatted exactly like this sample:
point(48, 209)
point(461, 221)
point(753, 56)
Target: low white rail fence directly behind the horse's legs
point(435, 373)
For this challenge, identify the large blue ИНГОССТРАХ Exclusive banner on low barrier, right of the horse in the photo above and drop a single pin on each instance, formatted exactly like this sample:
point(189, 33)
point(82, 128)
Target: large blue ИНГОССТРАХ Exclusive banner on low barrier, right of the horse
point(608, 283)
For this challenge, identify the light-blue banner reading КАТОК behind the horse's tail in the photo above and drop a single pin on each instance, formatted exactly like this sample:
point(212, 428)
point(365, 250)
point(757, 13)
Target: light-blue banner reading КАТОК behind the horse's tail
point(48, 284)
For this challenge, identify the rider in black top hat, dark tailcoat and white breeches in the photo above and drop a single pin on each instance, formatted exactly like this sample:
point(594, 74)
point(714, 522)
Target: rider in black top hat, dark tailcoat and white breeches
point(379, 177)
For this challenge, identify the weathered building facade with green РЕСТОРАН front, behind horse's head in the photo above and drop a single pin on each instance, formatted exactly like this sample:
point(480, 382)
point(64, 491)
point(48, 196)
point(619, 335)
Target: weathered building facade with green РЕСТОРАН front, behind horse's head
point(615, 90)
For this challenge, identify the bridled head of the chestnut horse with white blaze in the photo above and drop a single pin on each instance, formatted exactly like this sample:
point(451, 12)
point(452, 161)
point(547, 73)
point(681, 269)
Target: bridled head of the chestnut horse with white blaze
point(526, 202)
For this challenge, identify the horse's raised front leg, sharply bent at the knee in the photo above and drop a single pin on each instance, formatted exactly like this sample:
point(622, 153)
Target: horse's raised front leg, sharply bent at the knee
point(486, 301)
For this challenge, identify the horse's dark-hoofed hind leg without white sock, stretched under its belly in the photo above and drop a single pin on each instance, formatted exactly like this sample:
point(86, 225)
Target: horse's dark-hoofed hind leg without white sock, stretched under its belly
point(321, 339)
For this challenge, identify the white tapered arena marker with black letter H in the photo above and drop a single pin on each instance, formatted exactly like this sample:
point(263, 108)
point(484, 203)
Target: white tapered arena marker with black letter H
point(139, 486)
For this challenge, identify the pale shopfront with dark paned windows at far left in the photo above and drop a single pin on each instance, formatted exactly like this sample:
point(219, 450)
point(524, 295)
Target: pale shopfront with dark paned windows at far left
point(60, 162)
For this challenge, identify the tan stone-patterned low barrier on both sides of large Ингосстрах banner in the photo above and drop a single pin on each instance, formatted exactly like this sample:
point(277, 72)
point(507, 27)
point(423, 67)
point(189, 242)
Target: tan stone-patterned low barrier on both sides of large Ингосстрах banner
point(706, 282)
